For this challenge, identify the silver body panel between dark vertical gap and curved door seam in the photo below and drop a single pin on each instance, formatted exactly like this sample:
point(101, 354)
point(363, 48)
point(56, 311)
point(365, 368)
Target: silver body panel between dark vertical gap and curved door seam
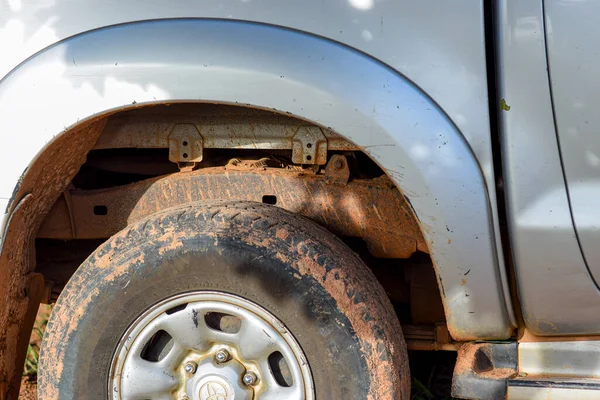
point(551, 274)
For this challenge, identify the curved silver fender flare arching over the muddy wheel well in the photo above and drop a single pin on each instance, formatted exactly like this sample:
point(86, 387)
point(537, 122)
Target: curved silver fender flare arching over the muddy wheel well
point(196, 60)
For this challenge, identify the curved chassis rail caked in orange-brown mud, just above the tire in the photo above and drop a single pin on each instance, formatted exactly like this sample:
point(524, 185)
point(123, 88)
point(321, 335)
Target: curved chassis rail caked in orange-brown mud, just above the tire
point(371, 209)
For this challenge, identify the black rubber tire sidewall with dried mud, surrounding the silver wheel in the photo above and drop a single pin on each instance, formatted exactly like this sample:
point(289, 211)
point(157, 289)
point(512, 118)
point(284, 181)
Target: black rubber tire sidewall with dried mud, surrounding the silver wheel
point(128, 275)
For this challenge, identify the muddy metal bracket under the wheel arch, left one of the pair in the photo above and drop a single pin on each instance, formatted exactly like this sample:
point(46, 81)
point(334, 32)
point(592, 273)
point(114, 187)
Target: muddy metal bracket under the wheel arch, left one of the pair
point(185, 146)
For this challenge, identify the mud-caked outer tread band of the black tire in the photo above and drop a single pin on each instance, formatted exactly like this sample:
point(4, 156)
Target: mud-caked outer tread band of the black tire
point(337, 269)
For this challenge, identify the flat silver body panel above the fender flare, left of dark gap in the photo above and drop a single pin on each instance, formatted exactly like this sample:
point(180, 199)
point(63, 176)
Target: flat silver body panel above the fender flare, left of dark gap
point(446, 59)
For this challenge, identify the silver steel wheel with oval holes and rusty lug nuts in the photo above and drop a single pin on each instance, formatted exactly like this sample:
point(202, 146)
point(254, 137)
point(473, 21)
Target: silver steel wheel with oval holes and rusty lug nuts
point(209, 346)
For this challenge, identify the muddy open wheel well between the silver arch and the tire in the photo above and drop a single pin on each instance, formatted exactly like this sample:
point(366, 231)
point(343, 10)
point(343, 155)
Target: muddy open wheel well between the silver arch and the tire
point(134, 150)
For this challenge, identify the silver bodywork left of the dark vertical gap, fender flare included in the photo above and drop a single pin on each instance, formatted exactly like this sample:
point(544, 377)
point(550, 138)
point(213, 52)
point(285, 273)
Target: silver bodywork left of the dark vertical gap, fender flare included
point(375, 83)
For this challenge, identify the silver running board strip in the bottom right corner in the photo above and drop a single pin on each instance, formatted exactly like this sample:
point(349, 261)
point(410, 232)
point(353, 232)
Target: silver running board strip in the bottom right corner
point(528, 388)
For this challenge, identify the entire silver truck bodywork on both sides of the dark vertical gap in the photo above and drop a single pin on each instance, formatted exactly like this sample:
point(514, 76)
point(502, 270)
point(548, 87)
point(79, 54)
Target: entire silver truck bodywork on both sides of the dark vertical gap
point(405, 81)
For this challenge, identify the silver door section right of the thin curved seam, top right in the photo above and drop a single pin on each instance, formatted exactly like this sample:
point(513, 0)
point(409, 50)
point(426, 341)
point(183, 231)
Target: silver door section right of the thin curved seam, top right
point(572, 40)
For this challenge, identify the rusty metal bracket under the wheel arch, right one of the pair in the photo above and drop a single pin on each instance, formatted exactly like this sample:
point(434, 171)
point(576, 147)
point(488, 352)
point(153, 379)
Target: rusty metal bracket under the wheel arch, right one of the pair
point(309, 146)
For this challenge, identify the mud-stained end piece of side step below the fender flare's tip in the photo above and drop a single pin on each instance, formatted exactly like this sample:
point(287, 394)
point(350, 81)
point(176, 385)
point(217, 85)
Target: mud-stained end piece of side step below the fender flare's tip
point(482, 370)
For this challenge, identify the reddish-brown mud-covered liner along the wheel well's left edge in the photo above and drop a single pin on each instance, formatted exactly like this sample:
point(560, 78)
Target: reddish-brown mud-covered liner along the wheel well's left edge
point(22, 289)
